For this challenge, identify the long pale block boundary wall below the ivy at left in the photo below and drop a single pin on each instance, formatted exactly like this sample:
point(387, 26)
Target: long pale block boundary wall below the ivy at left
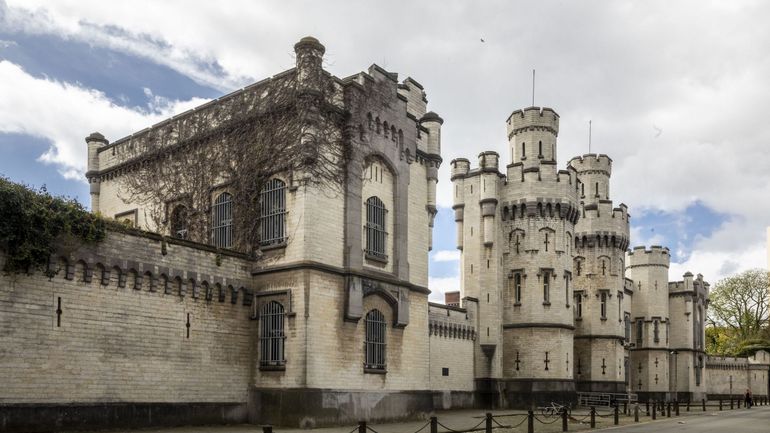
point(121, 336)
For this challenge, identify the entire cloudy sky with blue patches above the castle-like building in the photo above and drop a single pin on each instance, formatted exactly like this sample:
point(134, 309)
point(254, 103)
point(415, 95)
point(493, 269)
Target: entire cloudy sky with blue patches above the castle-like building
point(677, 93)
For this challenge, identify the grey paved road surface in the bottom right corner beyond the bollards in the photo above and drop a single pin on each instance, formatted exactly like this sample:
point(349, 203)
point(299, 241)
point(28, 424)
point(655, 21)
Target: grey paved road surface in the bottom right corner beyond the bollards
point(752, 420)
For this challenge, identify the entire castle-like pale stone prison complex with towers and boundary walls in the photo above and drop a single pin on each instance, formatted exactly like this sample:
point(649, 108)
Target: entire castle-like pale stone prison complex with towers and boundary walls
point(331, 322)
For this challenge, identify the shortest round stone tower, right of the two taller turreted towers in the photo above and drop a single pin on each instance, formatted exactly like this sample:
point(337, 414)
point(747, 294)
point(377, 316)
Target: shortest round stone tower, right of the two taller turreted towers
point(650, 317)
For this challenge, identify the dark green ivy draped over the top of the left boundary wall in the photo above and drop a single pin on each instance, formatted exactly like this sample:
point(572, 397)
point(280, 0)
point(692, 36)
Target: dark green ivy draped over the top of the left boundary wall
point(34, 225)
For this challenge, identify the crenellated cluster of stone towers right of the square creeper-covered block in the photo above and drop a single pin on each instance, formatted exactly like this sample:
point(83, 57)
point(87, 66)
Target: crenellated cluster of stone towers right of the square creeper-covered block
point(564, 306)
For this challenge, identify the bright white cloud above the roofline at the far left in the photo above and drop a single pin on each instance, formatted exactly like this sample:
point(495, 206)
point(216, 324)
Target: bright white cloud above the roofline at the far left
point(65, 113)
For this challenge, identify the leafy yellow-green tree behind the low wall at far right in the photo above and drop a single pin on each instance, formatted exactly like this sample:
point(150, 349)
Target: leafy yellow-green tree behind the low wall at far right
point(738, 311)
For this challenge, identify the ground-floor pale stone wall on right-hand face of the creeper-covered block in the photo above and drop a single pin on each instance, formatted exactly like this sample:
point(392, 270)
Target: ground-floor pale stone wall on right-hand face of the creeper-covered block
point(334, 343)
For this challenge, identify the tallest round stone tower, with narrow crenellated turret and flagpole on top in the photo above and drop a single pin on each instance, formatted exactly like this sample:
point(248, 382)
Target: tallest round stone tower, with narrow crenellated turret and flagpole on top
point(538, 215)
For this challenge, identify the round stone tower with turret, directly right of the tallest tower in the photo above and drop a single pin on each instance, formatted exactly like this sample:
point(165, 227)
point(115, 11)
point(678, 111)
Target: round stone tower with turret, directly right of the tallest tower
point(600, 240)
